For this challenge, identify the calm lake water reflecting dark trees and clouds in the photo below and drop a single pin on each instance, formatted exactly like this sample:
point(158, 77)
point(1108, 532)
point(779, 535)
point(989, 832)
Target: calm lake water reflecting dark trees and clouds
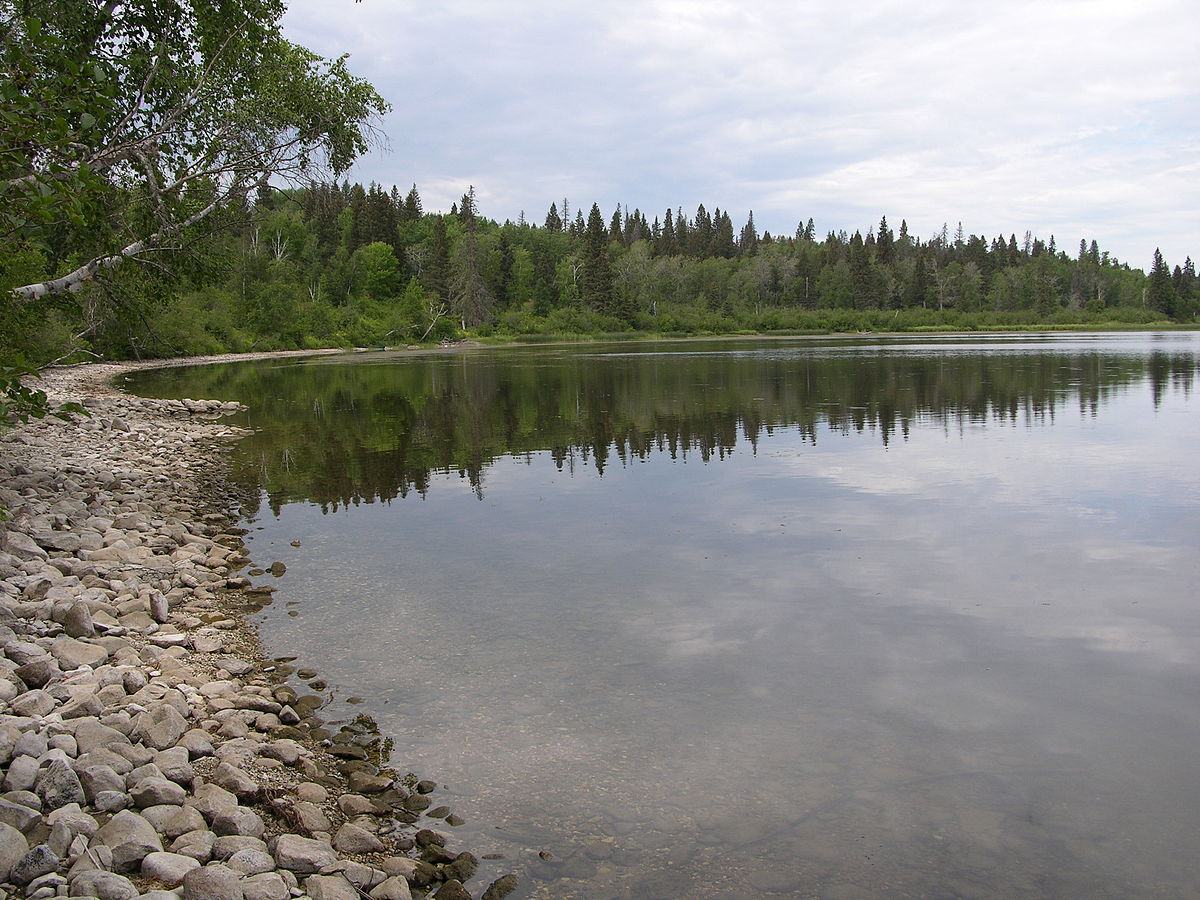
point(754, 620)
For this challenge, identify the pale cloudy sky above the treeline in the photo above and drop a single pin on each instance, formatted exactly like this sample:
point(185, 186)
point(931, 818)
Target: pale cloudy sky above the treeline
point(1065, 118)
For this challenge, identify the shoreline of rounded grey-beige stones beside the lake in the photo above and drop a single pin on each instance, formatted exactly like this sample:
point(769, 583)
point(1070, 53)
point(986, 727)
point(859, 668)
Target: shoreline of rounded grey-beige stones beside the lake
point(148, 749)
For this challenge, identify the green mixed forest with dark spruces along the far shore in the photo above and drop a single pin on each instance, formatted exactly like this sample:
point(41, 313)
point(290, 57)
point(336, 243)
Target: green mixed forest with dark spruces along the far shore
point(350, 266)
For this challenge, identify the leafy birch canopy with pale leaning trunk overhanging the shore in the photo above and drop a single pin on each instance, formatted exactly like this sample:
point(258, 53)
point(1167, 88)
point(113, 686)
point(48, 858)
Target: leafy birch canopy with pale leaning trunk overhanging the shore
point(131, 124)
